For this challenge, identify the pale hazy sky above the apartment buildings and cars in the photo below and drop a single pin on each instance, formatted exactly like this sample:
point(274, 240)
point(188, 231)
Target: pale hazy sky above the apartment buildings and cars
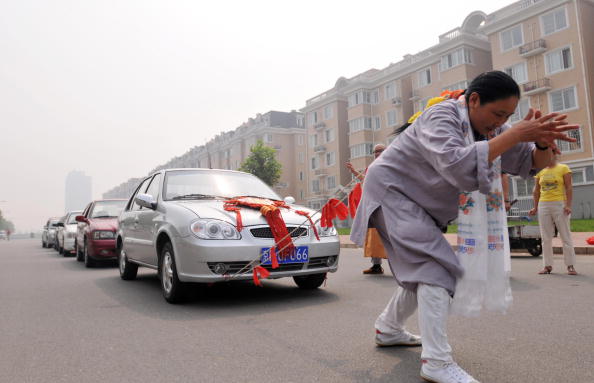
point(115, 88)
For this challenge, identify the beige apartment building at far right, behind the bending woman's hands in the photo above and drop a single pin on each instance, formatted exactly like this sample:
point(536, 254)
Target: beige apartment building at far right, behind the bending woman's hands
point(546, 46)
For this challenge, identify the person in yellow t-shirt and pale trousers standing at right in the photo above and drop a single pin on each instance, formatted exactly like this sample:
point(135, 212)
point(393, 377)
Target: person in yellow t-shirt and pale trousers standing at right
point(552, 195)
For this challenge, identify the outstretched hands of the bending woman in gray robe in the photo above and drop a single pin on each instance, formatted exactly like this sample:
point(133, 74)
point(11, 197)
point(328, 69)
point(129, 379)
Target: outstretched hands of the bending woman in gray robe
point(543, 129)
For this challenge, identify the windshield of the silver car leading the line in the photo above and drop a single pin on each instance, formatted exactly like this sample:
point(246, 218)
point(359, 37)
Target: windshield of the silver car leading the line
point(201, 184)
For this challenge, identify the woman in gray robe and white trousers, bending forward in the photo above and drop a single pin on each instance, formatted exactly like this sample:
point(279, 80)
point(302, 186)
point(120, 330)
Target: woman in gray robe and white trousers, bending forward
point(411, 193)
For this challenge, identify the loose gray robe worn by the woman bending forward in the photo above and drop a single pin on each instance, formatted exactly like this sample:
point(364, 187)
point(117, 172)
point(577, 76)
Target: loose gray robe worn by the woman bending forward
point(416, 182)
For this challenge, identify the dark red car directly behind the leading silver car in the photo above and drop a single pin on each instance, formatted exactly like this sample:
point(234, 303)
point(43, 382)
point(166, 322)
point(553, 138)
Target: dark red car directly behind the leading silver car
point(96, 230)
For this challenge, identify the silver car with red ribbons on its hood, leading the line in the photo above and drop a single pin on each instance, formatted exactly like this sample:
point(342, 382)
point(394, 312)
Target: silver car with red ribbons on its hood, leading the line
point(175, 223)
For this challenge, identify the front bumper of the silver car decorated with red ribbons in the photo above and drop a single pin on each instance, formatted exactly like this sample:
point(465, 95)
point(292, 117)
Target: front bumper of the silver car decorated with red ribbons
point(195, 258)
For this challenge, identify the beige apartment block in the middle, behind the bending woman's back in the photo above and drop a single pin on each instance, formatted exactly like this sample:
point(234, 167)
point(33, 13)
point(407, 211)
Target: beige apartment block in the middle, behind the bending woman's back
point(346, 122)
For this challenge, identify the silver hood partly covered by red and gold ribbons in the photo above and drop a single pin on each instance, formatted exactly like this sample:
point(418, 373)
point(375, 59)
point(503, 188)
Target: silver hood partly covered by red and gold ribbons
point(249, 216)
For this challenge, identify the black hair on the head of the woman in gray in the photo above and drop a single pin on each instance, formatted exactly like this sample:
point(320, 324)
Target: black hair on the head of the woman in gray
point(493, 86)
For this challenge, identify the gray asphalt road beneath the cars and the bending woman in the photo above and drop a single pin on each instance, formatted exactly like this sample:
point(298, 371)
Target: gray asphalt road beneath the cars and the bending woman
point(61, 322)
